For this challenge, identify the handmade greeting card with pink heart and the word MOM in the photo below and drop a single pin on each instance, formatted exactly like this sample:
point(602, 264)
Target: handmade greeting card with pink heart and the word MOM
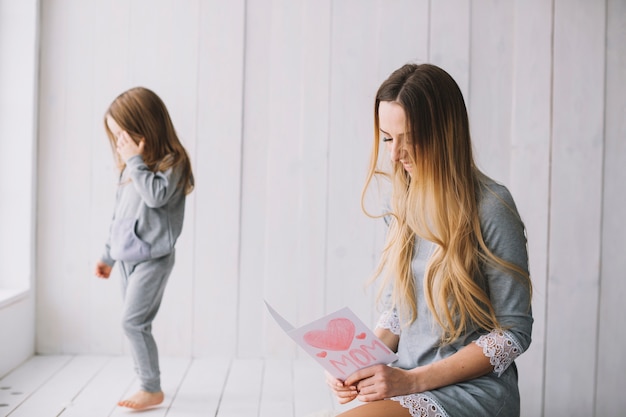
point(340, 342)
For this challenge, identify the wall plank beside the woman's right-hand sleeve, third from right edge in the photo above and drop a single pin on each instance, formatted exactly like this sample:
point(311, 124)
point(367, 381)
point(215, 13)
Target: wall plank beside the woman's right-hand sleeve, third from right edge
point(530, 164)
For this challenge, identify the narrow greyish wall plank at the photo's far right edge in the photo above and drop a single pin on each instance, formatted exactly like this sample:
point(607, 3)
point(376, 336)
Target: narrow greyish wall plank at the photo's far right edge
point(610, 377)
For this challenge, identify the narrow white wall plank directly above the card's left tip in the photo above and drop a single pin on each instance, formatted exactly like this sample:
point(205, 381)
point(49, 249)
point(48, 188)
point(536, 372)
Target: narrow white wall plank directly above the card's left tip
point(254, 202)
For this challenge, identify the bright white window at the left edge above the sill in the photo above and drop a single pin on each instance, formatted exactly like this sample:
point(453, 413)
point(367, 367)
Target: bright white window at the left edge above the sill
point(18, 84)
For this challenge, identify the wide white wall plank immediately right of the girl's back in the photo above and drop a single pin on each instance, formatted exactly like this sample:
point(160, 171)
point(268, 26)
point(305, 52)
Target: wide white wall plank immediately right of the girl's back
point(218, 173)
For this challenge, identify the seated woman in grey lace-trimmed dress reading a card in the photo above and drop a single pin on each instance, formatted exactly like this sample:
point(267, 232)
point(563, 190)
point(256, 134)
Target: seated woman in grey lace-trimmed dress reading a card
point(456, 288)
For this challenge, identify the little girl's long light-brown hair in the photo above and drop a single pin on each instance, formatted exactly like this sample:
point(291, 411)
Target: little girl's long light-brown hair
point(141, 113)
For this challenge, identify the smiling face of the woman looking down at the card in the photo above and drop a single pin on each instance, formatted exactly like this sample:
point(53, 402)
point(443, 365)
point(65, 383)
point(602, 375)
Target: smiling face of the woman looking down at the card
point(392, 122)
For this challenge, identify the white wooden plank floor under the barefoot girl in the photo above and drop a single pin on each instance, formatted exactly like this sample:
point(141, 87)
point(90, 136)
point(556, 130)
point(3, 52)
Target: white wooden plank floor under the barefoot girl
point(90, 386)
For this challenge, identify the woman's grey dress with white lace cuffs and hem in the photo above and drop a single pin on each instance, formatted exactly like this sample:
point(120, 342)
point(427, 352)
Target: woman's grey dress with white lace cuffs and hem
point(495, 394)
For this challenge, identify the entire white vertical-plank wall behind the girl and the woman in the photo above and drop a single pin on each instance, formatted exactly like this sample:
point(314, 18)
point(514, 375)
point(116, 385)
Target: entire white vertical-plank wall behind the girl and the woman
point(273, 100)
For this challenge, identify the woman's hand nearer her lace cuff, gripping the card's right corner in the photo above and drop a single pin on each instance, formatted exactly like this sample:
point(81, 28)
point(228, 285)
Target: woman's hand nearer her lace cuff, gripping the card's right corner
point(381, 381)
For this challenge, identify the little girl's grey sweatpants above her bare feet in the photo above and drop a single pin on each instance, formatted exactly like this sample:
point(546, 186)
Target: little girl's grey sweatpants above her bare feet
point(143, 285)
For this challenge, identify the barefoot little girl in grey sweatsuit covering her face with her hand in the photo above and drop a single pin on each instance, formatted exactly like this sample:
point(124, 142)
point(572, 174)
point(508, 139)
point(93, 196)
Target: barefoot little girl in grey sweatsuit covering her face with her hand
point(155, 177)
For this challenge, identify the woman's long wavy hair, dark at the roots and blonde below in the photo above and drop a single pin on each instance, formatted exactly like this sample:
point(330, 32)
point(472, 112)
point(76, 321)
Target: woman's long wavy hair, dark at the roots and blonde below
point(437, 202)
